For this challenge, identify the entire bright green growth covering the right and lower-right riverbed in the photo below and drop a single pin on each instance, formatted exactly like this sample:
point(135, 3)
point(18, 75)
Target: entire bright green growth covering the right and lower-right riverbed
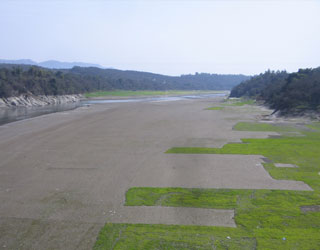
point(266, 219)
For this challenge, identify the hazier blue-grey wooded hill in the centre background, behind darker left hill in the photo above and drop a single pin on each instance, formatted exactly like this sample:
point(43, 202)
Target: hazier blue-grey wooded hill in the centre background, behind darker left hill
point(137, 80)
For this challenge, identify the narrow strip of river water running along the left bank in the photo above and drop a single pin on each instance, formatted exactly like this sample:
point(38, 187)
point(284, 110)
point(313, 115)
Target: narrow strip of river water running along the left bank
point(20, 113)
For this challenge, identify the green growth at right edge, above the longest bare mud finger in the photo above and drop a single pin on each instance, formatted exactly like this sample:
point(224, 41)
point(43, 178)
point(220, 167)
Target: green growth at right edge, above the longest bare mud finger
point(303, 151)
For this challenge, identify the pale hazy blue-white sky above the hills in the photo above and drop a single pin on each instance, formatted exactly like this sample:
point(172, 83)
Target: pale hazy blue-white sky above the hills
point(169, 37)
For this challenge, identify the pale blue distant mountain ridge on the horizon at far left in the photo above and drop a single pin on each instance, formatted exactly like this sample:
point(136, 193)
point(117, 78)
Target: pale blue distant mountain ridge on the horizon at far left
point(51, 64)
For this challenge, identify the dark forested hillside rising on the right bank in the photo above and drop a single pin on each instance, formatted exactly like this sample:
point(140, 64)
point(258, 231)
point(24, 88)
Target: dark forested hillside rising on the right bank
point(289, 93)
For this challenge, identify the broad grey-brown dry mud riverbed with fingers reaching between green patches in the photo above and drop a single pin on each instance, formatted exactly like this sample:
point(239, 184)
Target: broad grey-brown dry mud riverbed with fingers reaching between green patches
point(63, 175)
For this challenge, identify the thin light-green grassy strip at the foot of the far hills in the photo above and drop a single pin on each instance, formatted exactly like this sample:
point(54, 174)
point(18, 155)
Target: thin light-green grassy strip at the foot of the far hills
point(145, 93)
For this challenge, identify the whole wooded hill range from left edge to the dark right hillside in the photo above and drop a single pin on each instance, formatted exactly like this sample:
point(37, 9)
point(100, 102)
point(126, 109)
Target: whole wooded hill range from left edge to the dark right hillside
point(22, 79)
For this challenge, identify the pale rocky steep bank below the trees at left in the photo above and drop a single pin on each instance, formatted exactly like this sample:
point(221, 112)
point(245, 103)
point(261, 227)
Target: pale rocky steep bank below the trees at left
point(37, 101)
